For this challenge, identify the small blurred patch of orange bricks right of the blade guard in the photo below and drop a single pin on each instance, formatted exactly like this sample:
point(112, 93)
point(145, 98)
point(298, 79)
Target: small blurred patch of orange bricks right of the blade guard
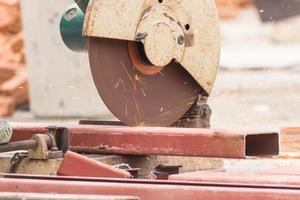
point(229, 9)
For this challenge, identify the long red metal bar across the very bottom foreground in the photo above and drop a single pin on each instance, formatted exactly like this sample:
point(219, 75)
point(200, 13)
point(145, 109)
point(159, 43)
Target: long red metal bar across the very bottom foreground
point(149, 189)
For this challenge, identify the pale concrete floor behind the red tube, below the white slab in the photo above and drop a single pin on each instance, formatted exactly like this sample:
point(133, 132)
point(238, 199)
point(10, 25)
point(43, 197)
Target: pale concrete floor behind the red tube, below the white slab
point(264, 100)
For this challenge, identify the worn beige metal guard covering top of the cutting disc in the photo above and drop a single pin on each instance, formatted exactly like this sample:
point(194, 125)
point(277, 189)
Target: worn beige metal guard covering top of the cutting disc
point(198, 19)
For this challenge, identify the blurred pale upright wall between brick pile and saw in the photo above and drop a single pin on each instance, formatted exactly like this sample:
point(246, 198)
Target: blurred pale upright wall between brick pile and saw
point(60, 80)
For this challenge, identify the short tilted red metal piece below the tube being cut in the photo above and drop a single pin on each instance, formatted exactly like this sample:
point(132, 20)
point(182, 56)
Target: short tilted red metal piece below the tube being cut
point(75, 164)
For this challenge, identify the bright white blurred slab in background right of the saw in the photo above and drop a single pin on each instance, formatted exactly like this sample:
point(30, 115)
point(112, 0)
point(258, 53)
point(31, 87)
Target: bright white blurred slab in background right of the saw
point(249, 43)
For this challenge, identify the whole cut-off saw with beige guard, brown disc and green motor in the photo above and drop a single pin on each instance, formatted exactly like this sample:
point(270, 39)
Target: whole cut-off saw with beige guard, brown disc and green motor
point(151, 60)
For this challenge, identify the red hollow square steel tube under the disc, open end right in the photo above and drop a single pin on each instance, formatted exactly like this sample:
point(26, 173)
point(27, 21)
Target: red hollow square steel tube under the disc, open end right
point(173, 141)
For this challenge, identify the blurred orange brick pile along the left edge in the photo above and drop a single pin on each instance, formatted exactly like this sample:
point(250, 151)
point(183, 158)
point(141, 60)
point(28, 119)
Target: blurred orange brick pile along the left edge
point(13, 78)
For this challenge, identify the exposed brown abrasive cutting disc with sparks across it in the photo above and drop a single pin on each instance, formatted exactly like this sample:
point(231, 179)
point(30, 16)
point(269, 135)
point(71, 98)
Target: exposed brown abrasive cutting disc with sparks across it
point(135, 98)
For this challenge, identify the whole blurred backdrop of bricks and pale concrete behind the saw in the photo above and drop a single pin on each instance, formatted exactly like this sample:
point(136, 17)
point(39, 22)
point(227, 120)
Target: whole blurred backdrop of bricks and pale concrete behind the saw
point(257, 86)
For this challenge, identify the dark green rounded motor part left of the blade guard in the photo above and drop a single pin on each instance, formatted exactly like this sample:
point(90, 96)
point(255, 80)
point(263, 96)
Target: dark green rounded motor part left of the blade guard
point(71, 26)
